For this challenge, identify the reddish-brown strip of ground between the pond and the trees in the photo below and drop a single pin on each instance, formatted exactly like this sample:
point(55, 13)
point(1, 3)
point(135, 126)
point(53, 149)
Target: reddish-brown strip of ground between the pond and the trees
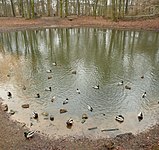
point(11, 24)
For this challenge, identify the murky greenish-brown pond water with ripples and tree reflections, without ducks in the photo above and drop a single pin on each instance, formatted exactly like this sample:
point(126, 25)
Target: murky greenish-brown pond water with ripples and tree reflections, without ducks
point(101, 57)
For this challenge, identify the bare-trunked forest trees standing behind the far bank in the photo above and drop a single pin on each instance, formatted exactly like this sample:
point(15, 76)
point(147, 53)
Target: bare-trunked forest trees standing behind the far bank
point(109, 9)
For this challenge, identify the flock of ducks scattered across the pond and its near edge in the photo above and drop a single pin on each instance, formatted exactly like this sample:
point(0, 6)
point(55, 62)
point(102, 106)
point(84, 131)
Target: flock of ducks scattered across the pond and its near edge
point(70, 121)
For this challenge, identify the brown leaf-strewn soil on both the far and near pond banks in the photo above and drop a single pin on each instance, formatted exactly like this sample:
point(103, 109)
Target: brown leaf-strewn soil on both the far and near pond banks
point(12, 137)
